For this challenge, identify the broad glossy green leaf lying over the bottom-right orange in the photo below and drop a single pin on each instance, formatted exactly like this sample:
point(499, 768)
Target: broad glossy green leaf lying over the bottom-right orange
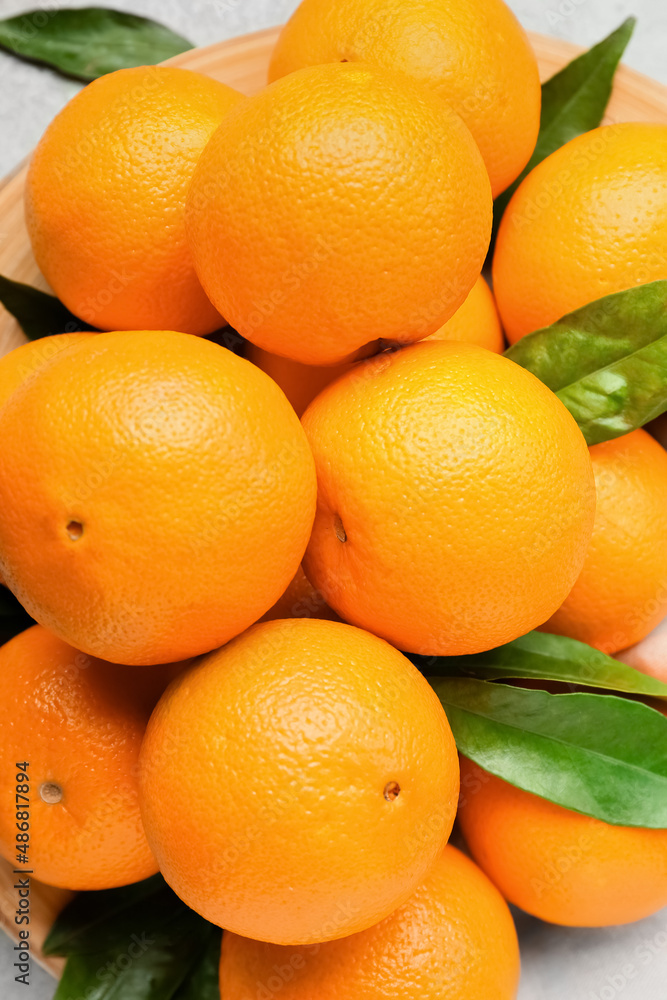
point(599, 755)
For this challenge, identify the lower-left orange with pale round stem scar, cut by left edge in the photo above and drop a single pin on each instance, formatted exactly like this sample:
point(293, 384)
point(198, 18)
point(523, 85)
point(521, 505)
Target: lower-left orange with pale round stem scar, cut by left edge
point(78, 722)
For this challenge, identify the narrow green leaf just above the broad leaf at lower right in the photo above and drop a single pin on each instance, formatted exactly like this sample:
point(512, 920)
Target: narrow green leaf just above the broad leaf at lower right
point(546, 657)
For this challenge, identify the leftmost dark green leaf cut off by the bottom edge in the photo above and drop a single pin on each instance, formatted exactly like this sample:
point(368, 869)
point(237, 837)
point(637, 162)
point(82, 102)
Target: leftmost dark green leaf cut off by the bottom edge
point(152, 962)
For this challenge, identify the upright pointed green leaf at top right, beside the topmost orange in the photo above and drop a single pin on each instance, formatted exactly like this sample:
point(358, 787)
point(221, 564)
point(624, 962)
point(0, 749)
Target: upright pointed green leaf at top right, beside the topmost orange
point(573, 101)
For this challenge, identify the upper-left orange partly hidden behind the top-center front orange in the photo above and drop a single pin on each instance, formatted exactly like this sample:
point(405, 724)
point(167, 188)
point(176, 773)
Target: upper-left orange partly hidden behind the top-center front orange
point(105, 198)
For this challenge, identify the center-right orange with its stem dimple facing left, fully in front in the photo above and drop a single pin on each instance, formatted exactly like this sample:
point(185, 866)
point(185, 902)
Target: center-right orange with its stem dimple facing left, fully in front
point(456, 498)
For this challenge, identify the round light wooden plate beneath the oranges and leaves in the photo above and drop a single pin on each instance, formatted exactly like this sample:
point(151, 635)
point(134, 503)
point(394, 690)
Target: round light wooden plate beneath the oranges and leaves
point(241, 63)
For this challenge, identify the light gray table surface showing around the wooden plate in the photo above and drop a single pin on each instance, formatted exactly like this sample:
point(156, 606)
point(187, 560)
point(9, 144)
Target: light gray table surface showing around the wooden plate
point(625, 963)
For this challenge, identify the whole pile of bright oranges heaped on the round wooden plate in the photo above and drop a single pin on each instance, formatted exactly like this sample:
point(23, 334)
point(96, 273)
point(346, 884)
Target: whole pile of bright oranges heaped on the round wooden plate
point(228, 556)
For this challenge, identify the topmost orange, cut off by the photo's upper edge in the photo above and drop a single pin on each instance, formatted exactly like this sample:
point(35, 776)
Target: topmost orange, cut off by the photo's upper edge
point(473, 53)
